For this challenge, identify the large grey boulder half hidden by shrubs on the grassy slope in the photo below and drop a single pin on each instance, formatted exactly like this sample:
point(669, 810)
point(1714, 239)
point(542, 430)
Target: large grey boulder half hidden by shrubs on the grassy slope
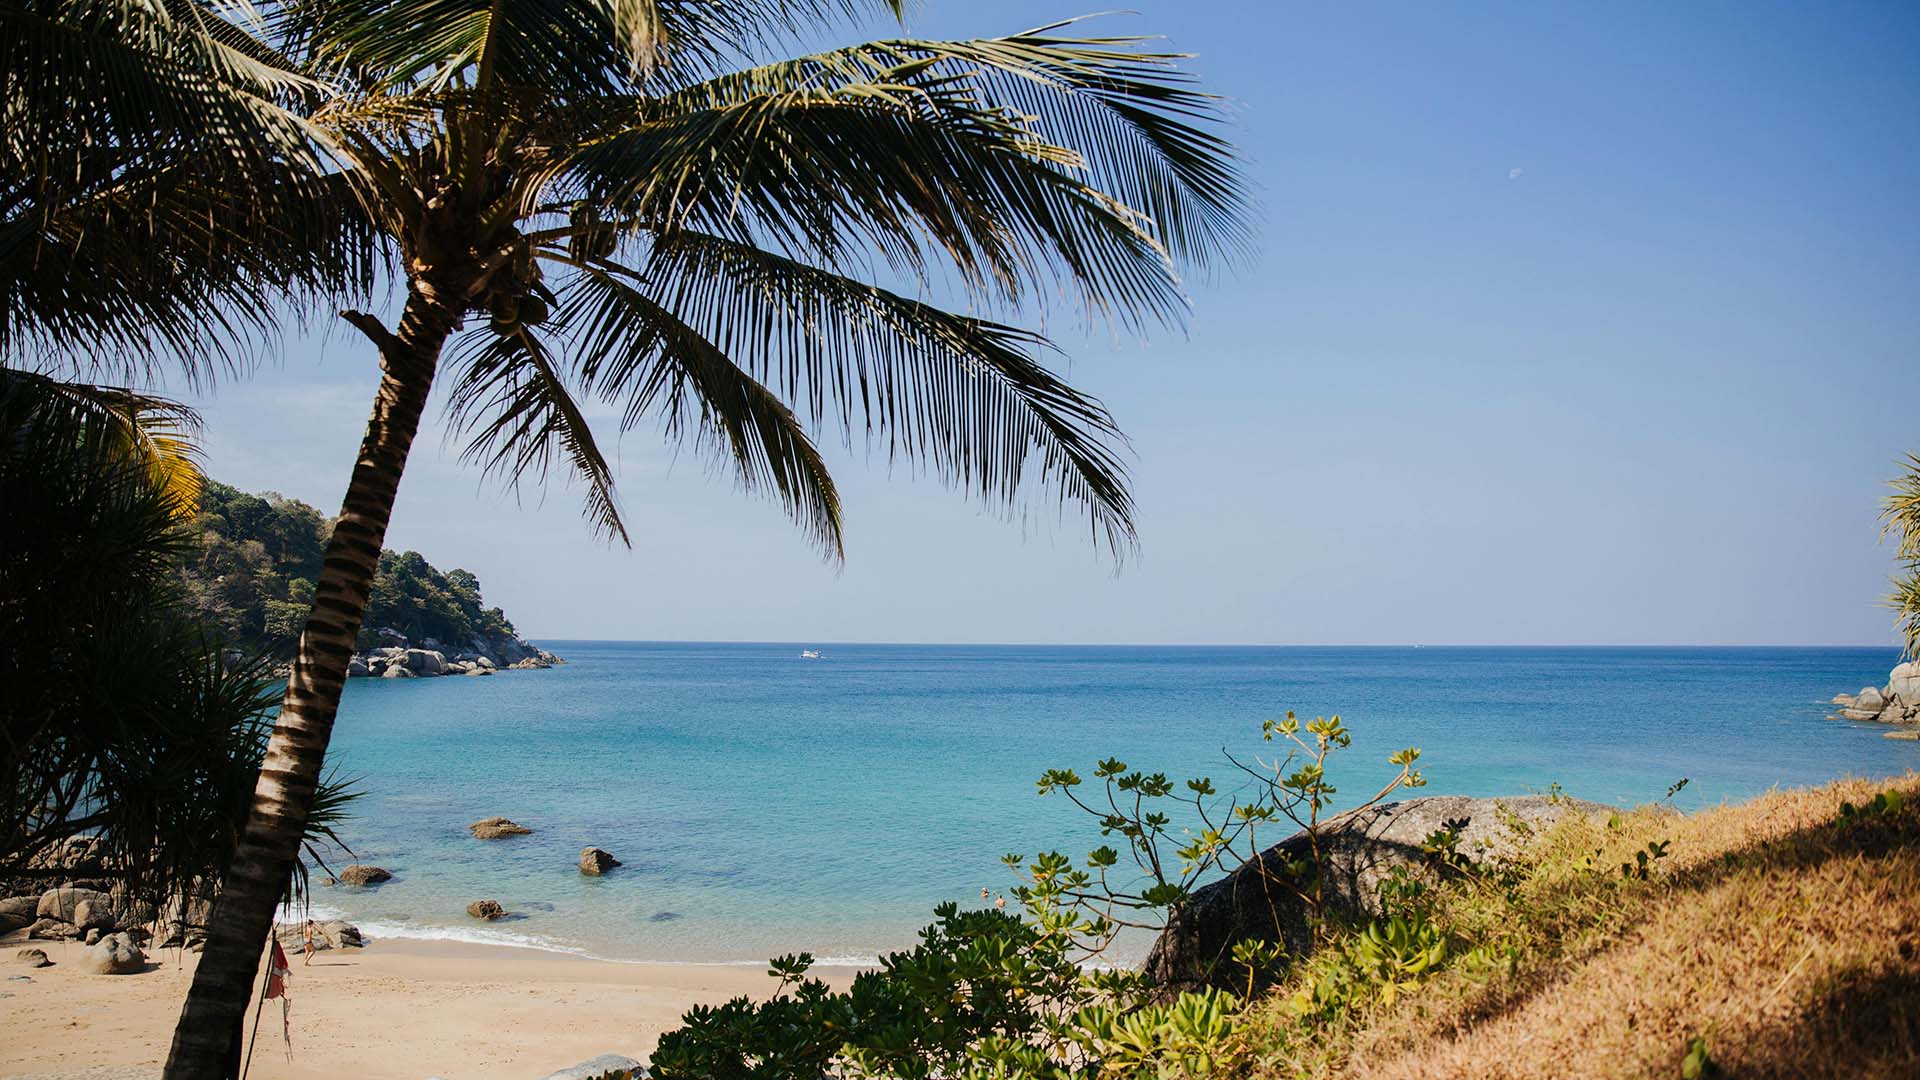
point(1358, 852)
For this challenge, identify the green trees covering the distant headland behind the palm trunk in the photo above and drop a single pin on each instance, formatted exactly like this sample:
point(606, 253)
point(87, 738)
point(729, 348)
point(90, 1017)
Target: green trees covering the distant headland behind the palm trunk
point(254, 560)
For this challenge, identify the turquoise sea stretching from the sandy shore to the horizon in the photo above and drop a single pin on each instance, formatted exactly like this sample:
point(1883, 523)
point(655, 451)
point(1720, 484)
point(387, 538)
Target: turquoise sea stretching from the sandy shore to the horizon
point(769, 804)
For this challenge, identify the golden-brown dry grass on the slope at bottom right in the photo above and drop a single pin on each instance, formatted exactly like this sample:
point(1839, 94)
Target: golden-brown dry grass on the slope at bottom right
point(1788, 941)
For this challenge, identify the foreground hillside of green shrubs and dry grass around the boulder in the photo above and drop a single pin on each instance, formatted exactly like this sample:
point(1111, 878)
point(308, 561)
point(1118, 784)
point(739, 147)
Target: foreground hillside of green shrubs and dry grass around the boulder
point(1760, 941)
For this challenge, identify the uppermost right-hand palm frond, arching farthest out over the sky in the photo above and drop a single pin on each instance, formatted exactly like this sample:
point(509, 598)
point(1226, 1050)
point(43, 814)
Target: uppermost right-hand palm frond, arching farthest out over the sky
point(1019, 162)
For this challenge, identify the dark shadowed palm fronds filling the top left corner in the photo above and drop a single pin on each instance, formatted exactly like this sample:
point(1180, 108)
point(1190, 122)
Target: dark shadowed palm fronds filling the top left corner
point(160, 189)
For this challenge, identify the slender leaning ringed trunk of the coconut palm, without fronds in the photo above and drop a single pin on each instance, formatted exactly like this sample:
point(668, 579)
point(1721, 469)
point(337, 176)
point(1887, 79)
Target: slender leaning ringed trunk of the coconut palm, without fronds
point(206, 1043)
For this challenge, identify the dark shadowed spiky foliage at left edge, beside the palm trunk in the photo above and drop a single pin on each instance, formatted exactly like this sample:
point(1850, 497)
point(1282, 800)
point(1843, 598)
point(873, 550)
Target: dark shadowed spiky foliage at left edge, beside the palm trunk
point(122, 718)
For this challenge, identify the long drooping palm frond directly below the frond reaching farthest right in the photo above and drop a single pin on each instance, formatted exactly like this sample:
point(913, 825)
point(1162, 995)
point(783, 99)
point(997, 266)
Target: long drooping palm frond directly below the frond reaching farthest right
point(959, 395)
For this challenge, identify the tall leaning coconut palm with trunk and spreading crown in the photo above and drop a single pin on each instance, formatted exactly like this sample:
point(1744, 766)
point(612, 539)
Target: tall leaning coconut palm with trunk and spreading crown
point(596, 199)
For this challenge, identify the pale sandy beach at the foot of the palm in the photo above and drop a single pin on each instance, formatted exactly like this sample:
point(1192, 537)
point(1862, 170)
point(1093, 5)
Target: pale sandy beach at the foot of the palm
point(395, 1010)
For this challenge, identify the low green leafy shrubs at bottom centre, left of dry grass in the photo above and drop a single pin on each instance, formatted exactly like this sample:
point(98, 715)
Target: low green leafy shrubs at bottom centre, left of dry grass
point(984, 994)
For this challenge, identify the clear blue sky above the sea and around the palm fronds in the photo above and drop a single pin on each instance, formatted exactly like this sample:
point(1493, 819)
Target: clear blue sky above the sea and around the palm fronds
point(1573, 324)
